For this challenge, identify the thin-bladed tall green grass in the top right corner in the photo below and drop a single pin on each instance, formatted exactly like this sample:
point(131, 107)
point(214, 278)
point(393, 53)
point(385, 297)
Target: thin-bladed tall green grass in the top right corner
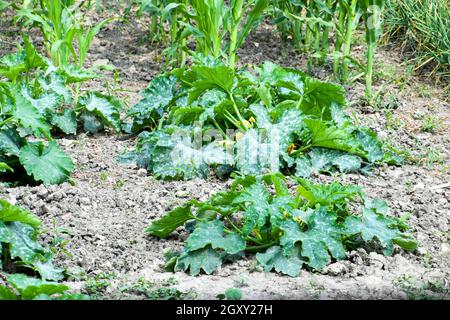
point(423, 26)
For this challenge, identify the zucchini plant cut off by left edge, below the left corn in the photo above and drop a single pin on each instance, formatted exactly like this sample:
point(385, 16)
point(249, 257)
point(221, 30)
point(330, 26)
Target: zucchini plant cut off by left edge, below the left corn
point(36, 99)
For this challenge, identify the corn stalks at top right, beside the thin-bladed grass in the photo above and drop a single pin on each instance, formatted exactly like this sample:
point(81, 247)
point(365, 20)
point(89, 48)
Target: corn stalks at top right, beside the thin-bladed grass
point(311, 23)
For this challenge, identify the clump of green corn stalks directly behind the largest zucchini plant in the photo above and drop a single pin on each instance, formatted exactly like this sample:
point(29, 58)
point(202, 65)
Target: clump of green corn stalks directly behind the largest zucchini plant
point(218, 28)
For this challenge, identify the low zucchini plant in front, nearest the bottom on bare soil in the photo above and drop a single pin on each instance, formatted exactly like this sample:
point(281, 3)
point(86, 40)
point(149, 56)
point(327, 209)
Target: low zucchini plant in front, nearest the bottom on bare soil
point(311, 228)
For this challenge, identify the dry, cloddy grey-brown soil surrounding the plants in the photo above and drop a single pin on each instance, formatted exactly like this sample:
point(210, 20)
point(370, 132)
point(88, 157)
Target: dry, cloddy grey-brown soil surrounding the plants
point(108, 207)
